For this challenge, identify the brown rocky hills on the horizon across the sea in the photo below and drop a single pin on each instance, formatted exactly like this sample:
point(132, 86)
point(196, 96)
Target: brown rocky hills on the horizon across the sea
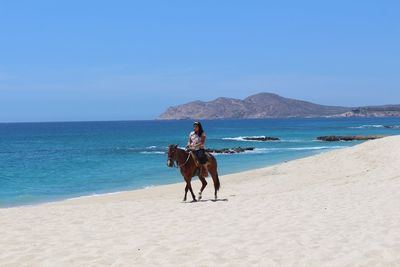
point(268, 105)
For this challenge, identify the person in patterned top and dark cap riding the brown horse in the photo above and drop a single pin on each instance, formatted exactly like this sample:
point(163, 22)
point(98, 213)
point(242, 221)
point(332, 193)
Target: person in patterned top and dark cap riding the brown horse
point(196, 142)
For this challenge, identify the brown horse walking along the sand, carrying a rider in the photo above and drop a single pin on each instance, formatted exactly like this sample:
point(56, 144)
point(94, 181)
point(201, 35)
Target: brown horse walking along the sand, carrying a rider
point(187, 164)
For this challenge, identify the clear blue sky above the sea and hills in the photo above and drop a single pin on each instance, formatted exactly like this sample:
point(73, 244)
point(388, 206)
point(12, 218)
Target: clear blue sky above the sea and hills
point(117, 60)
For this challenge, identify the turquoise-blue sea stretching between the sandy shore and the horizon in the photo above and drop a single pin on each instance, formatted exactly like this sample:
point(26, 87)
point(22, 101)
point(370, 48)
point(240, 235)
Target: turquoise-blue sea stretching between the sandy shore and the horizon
point(42, 162)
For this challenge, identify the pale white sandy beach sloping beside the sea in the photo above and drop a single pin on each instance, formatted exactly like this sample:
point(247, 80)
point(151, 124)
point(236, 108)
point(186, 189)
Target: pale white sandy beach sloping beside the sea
point(340, 208)
